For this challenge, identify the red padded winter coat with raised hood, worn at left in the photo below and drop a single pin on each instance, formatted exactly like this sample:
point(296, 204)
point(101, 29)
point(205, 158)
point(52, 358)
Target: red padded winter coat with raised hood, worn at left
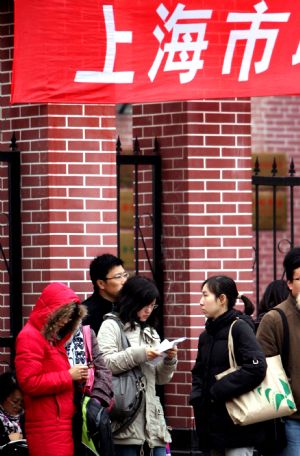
point(43, 373)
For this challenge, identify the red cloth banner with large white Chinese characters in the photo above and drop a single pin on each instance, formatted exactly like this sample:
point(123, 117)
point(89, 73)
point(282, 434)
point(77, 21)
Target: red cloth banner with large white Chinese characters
point(95, 51)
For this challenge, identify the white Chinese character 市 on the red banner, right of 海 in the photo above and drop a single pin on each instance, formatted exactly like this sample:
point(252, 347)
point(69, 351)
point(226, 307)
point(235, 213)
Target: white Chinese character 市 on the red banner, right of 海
point(251, 35)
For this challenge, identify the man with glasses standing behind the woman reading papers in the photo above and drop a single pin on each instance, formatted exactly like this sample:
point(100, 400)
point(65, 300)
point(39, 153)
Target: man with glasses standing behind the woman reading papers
point(108, 277)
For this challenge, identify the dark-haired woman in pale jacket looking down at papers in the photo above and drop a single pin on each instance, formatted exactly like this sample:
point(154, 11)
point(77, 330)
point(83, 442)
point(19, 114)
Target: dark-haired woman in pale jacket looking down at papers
point(136, 306)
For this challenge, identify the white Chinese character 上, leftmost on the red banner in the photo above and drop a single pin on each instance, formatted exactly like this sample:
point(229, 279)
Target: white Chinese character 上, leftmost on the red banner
point(108, 75)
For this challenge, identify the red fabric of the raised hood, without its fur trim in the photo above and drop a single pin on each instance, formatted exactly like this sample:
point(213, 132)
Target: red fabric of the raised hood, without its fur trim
point(51, 299)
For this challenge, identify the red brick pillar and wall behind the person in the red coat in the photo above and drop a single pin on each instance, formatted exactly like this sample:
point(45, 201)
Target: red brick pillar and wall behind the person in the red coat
point(68, 182)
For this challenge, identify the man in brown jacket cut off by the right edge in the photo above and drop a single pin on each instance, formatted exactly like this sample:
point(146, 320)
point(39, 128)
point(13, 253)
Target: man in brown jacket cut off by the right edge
point(270, 337)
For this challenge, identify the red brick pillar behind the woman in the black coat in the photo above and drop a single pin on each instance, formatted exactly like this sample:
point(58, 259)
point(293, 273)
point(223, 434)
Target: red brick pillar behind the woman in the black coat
point(206, 205)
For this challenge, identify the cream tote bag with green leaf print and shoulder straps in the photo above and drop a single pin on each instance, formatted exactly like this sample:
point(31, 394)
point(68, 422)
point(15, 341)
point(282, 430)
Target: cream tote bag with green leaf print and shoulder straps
point(271, 399)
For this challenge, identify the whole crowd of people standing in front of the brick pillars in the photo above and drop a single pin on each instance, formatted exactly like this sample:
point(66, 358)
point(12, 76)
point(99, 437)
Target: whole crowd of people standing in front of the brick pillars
point(42, 400)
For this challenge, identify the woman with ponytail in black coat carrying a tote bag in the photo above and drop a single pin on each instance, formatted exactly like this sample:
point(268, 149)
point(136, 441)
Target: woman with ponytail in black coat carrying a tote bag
point(215, 429)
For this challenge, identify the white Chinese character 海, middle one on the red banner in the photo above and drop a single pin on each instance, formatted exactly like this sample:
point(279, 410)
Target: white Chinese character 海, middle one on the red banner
point(182, 44)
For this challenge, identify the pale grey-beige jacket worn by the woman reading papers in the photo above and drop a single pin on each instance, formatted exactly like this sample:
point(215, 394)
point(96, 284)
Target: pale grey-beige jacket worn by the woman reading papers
point(149, 424)
